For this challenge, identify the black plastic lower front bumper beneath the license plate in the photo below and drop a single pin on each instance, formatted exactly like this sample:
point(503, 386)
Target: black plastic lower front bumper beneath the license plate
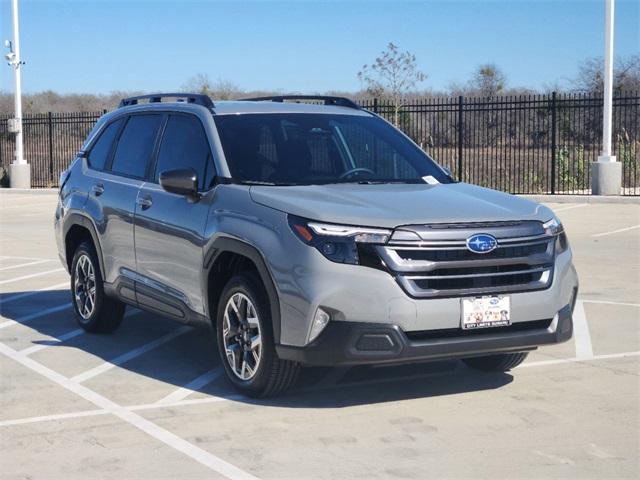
point(353, 343)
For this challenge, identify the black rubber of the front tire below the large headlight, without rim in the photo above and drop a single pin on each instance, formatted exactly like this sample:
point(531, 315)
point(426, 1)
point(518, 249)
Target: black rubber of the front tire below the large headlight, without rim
point(273, 376)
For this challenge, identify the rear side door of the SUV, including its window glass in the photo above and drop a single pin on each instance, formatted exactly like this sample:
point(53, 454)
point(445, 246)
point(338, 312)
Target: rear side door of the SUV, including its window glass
point(117, 165)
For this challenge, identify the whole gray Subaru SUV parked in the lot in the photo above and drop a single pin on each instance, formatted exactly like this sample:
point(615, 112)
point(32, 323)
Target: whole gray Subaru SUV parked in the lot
point(305, 231)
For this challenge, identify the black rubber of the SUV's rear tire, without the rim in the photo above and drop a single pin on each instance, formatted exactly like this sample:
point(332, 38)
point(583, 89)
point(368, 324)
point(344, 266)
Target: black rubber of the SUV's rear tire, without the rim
point(107, 313)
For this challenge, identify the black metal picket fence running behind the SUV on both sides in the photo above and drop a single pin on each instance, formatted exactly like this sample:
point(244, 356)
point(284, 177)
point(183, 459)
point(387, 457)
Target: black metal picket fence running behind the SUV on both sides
point(519, 144)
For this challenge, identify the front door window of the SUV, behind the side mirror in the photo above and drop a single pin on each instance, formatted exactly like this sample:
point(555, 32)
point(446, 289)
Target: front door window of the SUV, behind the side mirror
point(184, 145)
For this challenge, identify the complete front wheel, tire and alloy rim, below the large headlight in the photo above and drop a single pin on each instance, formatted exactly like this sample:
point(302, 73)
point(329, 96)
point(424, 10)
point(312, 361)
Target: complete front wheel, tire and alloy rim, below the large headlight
point(245, 340)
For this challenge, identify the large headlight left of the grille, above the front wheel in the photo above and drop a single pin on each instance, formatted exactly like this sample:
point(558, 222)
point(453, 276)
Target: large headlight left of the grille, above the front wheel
point(339, 243)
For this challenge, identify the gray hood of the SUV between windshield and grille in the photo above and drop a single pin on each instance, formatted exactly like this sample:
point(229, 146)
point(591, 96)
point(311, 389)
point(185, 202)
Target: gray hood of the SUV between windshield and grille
point(392, 205)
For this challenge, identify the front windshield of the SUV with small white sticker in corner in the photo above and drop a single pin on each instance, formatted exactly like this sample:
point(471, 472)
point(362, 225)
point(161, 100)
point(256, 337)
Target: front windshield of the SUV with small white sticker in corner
point(305, 148)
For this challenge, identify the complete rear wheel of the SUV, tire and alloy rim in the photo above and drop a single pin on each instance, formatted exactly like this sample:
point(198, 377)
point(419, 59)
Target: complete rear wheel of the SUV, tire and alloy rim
point(95, 312)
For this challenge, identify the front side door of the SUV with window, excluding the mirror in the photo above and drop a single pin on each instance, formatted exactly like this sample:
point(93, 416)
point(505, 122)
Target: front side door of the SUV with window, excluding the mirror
point(169, 228)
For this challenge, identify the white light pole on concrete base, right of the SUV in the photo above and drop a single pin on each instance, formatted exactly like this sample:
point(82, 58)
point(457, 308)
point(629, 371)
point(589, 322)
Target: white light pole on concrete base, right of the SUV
point(606, 178)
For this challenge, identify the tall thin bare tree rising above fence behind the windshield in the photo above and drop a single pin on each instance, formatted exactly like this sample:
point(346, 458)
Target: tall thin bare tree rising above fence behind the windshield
point(393, 74)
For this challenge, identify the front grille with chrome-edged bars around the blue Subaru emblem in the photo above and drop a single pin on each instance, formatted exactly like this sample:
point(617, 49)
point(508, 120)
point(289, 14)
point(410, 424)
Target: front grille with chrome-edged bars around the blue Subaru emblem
point(437, 263)
